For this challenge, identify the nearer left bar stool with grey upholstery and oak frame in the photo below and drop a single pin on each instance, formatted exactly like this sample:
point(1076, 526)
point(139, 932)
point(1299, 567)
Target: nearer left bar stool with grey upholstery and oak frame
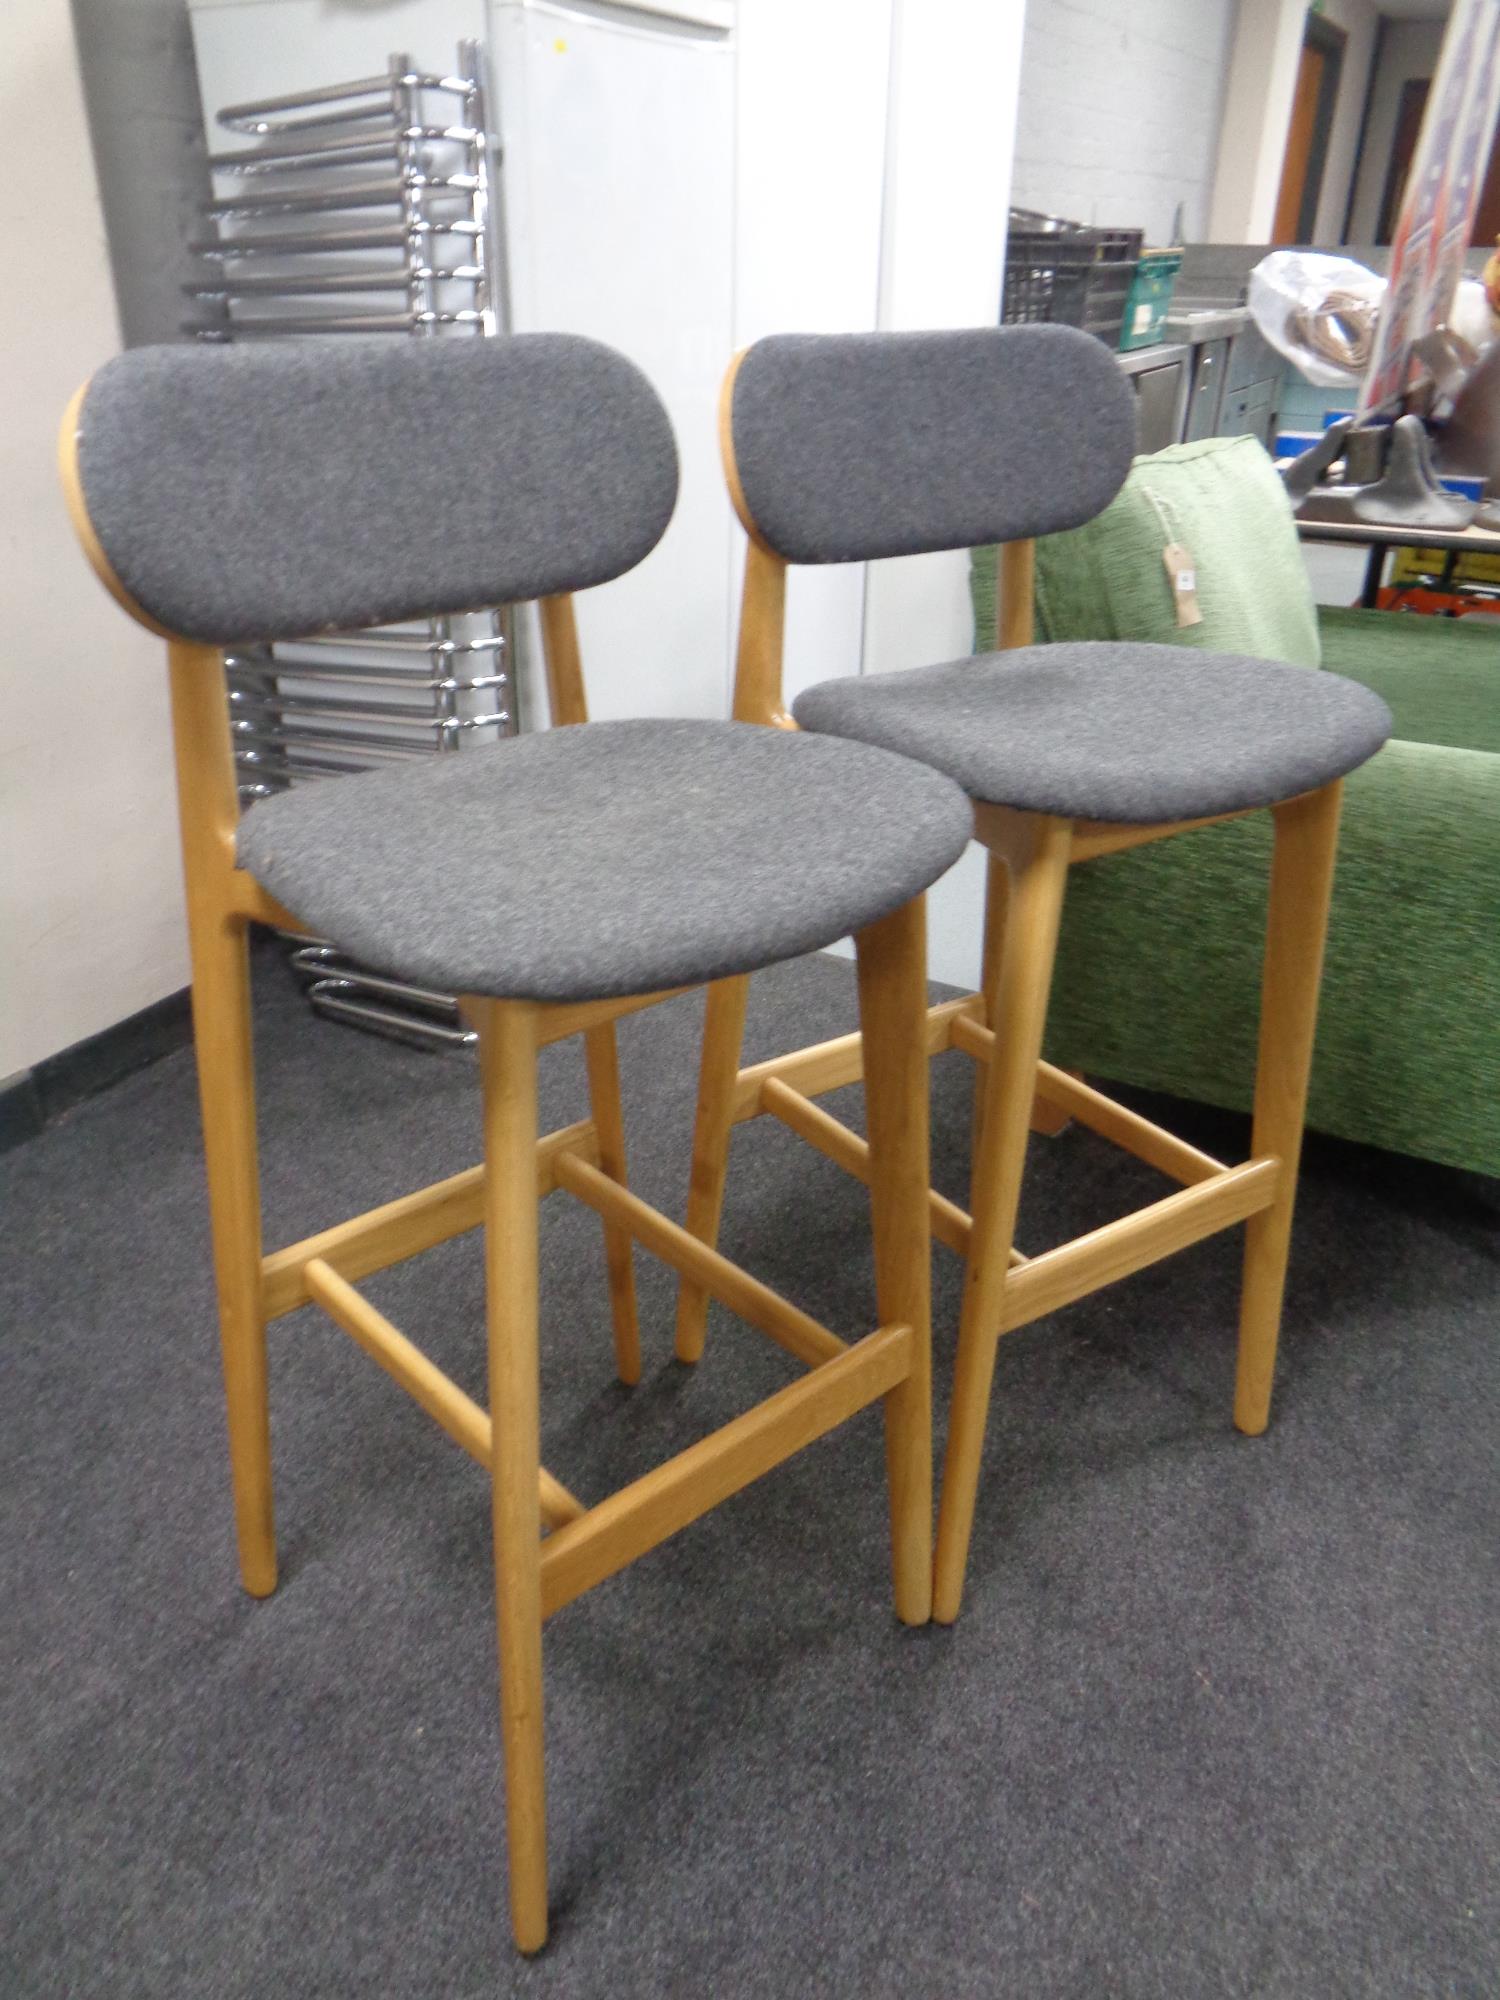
point(267, 493)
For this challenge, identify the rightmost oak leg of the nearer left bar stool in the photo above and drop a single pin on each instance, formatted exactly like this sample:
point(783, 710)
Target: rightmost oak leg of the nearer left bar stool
point(893, 1019)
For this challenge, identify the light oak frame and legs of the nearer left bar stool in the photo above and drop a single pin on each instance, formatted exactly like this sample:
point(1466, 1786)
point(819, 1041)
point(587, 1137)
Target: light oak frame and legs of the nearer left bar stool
point(535, 1577)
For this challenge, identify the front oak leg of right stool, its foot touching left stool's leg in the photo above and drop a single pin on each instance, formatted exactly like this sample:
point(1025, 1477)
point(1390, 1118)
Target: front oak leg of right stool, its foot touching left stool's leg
point(1037, 857)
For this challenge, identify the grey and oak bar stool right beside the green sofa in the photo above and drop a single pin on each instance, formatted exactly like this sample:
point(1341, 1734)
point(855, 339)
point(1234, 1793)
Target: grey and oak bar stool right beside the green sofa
point(845, 449)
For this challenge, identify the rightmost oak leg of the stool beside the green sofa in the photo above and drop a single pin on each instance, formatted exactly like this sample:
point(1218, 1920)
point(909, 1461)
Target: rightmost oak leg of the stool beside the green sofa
point(1297, 927)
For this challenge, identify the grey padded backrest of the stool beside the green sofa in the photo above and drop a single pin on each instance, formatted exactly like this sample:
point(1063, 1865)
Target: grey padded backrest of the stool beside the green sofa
point(853, 447)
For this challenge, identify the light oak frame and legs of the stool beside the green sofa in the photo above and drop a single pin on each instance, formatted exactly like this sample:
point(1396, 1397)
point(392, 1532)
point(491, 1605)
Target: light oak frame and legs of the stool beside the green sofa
point(1017, 1091)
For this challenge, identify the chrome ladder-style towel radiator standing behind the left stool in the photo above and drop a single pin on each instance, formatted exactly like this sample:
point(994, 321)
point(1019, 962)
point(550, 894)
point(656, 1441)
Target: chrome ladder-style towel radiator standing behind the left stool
point(361, 209)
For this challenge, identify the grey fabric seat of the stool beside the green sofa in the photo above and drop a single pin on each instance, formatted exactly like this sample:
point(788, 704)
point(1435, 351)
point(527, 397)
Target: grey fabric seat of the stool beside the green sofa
point(1113, 731)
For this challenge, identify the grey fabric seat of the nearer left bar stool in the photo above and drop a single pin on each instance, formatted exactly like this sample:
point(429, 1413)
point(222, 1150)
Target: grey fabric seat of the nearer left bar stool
point(609, 859)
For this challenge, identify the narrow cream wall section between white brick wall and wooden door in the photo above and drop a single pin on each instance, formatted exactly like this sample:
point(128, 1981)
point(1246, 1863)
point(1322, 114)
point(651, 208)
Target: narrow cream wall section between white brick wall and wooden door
point(1257, 113)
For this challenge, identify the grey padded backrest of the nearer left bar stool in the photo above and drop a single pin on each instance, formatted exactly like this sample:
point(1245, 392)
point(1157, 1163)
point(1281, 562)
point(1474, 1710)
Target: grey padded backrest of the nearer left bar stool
point(271, 491)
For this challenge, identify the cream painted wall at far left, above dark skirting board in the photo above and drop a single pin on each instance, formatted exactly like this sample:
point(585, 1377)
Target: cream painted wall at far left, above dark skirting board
point(91, 905)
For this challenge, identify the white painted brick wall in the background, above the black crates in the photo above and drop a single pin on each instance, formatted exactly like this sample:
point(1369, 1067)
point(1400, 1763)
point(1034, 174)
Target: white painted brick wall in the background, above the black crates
point(1119, 111)
